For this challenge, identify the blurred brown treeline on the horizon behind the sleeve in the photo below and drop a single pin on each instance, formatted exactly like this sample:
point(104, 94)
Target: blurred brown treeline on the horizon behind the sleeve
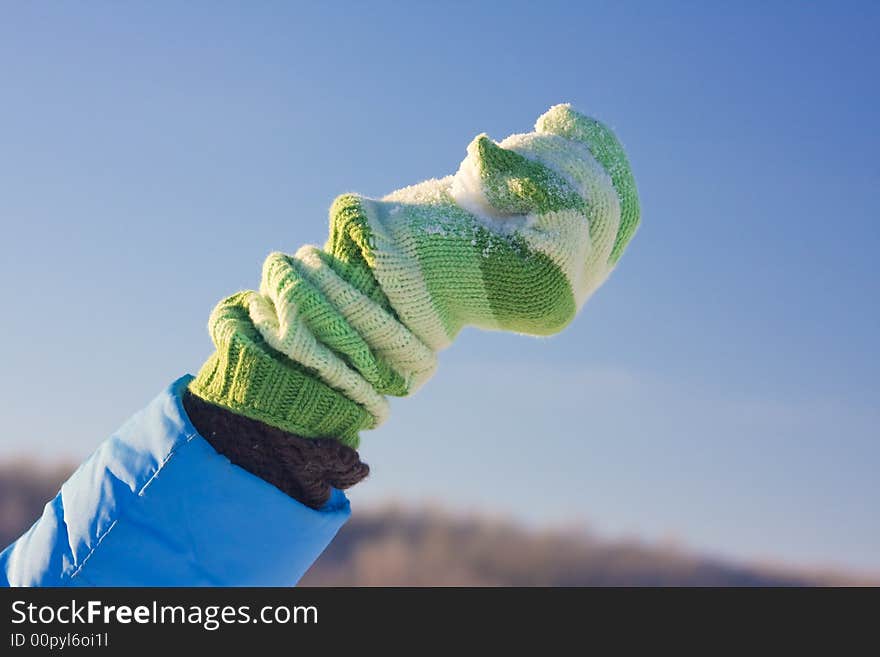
point(419, 547)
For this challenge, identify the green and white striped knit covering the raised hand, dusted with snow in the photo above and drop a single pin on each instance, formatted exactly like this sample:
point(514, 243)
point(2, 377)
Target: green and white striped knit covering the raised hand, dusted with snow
point(516, 240)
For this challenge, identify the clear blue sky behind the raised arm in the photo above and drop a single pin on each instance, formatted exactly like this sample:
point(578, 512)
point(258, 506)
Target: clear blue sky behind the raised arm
point(721, 389)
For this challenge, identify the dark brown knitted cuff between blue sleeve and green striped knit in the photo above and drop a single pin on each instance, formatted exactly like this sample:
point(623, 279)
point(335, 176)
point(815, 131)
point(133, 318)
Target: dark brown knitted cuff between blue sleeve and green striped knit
point(304, 468)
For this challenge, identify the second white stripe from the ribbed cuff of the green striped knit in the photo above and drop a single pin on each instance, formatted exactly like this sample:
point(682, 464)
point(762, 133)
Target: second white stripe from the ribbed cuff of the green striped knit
point(387, 337)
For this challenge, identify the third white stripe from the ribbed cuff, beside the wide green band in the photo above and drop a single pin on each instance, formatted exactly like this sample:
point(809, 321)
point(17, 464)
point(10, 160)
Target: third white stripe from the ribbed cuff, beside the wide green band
point(397, 269)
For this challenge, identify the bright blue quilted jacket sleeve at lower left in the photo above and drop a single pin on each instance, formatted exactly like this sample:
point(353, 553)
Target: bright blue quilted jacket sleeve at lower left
point(156, 505)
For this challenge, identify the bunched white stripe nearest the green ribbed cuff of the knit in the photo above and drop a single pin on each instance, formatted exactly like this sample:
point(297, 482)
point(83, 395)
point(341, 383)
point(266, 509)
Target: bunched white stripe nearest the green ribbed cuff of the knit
point(284, 330)
